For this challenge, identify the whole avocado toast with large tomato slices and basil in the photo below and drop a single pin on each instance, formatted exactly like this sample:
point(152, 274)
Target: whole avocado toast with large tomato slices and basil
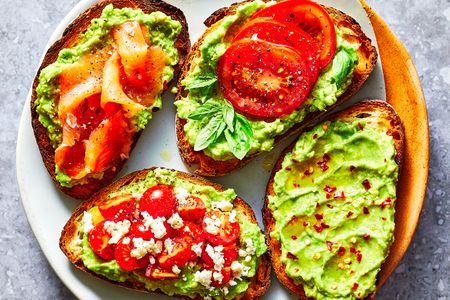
point(261, 73)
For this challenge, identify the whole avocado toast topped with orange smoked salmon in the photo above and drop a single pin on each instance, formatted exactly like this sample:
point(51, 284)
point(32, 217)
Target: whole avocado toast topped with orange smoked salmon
point(99, 85)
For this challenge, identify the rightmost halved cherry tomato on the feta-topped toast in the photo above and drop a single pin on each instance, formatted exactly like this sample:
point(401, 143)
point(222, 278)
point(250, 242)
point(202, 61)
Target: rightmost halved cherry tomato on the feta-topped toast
point(227, 231)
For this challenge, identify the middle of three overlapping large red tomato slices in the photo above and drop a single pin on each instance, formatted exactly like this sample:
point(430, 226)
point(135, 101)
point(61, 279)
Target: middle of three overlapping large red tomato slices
point(286, 34)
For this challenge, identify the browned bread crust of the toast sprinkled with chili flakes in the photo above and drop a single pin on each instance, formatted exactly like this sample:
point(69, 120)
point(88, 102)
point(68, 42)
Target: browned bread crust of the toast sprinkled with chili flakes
point(376, 114)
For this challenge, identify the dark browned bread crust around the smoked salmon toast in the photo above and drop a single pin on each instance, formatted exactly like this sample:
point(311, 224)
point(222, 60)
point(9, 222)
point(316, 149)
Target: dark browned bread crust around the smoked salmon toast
point(68, 39)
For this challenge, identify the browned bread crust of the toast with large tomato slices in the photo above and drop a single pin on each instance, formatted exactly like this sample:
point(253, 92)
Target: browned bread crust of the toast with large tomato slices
point(206, 165)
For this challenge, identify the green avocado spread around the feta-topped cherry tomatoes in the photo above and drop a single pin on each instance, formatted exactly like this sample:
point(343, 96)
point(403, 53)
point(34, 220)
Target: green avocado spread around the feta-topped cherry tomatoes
point(185, 285)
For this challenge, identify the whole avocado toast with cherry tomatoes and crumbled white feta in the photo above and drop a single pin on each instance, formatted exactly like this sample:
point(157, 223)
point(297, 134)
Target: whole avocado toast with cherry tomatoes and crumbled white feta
point(184, 237)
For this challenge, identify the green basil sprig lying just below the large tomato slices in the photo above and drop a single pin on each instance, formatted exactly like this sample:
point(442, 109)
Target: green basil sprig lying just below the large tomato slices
point(221, 119)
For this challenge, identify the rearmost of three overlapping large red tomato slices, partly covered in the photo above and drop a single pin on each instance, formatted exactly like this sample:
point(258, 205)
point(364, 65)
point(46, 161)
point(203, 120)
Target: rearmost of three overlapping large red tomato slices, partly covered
point(310, 17)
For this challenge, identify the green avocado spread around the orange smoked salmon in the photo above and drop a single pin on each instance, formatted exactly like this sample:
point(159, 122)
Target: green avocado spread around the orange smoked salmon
point(163, 33)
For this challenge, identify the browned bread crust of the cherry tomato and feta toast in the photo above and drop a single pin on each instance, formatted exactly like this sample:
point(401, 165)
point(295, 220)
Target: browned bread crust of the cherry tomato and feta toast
point(69, 235)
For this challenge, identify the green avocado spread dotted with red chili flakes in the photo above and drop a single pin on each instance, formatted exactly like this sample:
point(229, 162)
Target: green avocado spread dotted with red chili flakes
point(333, 204)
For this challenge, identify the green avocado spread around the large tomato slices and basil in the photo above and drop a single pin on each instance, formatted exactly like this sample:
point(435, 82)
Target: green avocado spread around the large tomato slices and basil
point(332, 82)
